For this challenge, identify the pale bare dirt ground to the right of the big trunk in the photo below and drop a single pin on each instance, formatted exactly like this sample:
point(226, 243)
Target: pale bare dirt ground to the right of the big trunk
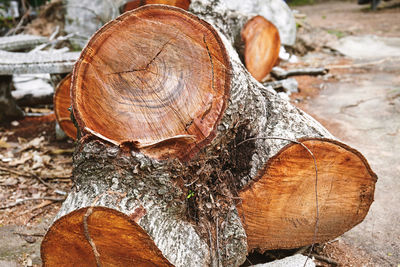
point(360, 104)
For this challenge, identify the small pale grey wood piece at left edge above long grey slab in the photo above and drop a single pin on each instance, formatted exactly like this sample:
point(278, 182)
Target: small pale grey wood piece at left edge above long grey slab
point(21, 42)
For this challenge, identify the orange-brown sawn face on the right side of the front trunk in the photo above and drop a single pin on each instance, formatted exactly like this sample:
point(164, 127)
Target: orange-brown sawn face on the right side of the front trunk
point(279, 209)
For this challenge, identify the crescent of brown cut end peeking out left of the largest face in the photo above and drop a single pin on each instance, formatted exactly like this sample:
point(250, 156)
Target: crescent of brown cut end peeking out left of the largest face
point(62, 102)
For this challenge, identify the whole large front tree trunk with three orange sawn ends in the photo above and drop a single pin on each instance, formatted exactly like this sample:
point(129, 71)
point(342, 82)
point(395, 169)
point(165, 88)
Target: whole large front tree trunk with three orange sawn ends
point(178, 137)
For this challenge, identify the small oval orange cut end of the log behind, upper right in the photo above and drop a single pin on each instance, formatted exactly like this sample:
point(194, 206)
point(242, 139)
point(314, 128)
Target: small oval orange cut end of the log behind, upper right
point(262, 44)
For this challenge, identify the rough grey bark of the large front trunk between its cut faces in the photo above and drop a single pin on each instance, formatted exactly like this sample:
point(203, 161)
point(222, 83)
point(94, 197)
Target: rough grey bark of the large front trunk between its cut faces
point(252, 111)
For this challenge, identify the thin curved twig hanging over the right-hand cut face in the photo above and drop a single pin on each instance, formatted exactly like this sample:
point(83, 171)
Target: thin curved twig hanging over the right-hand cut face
point(316, 184)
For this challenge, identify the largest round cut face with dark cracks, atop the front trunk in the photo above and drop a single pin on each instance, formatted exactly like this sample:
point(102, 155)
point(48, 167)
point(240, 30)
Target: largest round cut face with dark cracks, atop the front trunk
point(156, 78)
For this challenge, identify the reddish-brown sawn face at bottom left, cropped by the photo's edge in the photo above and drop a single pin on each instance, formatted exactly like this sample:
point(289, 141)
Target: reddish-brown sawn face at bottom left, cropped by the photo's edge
point(119, 241)
